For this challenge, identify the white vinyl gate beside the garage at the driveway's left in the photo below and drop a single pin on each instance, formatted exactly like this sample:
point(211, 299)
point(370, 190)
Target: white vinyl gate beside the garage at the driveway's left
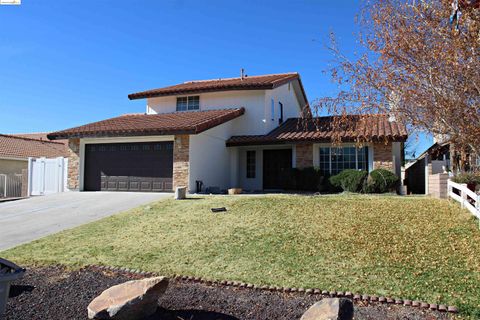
point(47, 176)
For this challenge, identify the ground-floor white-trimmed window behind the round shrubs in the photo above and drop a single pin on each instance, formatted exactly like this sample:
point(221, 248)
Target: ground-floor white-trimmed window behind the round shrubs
point(333, 160)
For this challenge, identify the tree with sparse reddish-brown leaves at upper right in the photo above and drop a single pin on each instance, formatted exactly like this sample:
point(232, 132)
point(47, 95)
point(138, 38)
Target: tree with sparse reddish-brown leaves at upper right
point(420, 65)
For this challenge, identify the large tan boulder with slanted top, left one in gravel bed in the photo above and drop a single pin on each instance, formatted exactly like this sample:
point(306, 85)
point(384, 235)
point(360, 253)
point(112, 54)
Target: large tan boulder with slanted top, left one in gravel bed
point(131, 300)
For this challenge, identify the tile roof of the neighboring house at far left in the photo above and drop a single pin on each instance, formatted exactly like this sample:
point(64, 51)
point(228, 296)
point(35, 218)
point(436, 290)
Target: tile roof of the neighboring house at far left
point(20, 147)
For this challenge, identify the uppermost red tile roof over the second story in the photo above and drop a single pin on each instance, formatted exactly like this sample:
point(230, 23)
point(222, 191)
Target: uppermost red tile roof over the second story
point(263, 82)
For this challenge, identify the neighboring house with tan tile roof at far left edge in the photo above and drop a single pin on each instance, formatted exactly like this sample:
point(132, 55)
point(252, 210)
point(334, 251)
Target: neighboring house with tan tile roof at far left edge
point(15, 151)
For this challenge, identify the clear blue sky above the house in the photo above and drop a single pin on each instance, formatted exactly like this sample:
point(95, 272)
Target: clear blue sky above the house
point(66, 63)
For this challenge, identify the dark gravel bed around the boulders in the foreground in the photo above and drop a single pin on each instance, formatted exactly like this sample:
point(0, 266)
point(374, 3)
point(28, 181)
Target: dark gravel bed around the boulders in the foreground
point(36, 296)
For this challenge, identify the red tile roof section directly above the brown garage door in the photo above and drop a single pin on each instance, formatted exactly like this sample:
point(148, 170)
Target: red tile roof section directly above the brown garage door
point(191, 122)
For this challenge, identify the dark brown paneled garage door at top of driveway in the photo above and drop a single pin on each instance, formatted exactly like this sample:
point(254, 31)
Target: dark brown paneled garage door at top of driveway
point(144, 167)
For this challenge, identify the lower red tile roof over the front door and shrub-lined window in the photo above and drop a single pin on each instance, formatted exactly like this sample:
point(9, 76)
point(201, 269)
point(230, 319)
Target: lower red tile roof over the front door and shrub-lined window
point(371, 127)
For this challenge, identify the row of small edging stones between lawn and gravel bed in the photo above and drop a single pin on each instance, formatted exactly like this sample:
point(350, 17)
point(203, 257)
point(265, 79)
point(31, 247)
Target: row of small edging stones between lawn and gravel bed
point(309, 291)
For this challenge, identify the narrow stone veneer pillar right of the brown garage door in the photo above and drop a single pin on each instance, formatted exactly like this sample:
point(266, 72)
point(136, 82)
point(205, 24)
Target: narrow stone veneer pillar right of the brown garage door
point(181, 161)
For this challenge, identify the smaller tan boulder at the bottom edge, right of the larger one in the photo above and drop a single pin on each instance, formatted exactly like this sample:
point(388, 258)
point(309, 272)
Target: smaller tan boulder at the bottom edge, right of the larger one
point(331, 309)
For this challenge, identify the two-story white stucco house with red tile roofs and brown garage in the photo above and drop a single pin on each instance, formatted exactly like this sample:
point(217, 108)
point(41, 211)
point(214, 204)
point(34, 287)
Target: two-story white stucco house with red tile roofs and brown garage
point(237, 132)
